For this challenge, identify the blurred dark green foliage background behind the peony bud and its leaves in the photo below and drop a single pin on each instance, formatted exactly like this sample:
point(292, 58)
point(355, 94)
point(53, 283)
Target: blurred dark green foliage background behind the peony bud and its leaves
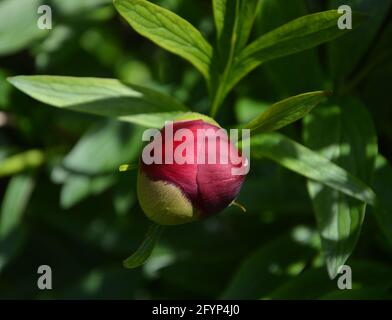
point(73, 211)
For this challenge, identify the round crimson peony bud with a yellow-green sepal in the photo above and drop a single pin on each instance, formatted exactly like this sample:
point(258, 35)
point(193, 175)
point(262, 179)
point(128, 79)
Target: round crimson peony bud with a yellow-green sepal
point(189, 184)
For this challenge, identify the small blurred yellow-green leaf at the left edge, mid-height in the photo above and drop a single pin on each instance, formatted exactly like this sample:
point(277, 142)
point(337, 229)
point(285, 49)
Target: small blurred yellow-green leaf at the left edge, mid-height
point(21, 162)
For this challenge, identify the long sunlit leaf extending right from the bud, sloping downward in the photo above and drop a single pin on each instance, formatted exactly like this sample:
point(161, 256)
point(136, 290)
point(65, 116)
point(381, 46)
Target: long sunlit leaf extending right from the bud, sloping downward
point(310, 164)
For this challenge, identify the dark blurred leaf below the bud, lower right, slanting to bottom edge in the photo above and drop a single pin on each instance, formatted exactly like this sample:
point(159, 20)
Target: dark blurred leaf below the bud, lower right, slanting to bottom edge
point(270, 266)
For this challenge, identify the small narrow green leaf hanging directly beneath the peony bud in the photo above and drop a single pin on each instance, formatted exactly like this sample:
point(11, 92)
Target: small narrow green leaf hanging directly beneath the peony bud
point(146, 248)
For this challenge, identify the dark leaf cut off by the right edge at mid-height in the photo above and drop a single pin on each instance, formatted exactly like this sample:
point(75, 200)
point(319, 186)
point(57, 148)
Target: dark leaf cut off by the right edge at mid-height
point(383, 186)
